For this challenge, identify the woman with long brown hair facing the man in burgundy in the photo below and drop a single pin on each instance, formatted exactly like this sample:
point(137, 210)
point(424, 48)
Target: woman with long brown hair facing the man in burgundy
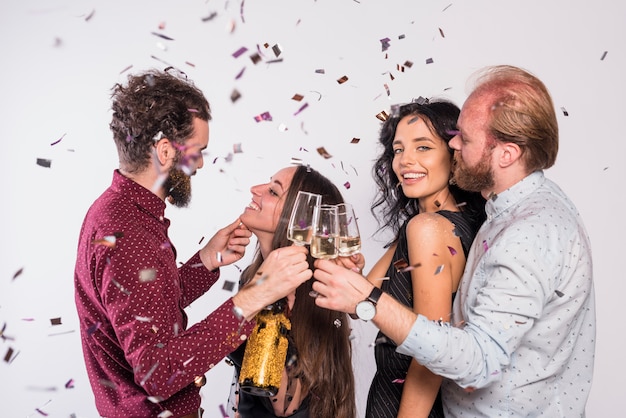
point(318, 380)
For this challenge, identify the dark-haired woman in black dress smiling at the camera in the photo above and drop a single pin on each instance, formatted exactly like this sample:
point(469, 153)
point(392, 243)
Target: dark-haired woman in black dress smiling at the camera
point(434, 224)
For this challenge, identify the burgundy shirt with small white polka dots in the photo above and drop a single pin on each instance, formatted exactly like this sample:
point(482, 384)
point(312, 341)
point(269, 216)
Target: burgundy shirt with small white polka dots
point(140, 355)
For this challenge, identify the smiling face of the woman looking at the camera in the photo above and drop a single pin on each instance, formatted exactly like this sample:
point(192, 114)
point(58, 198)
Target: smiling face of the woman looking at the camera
point(422, 160)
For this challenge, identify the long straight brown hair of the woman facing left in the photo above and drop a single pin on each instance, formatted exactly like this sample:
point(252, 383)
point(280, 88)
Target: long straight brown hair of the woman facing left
point(321, 336)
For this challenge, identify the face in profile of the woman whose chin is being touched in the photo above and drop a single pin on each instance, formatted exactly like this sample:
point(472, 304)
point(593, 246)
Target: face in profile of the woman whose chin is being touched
point(262, 213)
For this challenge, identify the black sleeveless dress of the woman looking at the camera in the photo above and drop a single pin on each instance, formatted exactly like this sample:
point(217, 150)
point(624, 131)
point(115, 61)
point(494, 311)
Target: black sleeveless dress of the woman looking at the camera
point(383, 400)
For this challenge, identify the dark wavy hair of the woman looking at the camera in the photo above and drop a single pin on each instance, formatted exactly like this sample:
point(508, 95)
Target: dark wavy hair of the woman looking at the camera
point(391, 207)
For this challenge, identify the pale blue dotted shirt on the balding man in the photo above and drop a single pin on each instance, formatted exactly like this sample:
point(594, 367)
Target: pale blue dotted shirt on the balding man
point(521, 340)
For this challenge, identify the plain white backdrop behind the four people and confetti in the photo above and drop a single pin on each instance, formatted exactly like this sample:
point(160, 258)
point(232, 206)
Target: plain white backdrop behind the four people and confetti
point(60, 59)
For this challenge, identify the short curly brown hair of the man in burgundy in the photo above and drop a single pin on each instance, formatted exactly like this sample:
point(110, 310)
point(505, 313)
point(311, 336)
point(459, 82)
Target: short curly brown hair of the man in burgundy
point(151, 102)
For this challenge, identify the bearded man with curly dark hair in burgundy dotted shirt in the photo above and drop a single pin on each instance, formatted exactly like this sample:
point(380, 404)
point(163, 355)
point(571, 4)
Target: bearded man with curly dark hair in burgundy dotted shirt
point(141, 357)
